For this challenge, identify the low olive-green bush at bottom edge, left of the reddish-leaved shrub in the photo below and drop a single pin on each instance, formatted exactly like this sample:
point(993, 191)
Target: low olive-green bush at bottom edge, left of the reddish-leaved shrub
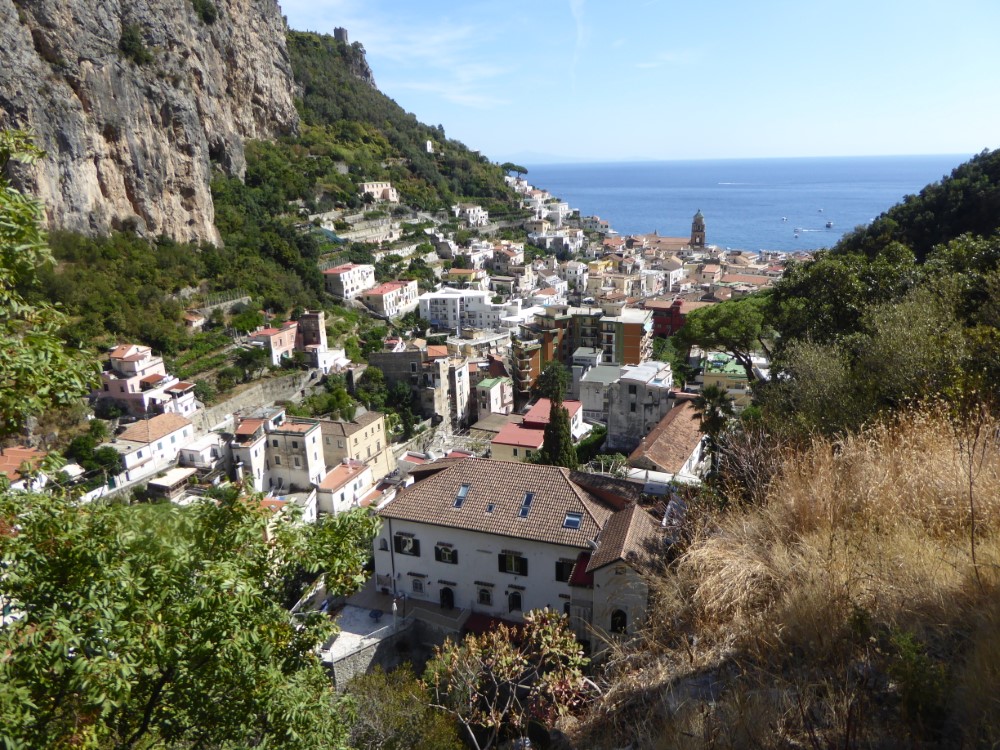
point(392, 712)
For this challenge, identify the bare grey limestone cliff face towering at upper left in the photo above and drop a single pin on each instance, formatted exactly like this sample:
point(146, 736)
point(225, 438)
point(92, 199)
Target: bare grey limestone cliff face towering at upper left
point(131, 144)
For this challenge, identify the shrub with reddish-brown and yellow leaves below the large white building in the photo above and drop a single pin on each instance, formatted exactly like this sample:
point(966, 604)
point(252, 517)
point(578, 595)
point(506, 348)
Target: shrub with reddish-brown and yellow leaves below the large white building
point(495, 683)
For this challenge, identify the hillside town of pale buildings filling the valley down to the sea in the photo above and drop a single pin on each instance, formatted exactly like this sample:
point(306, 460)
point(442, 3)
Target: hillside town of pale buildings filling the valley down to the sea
point(573, 293)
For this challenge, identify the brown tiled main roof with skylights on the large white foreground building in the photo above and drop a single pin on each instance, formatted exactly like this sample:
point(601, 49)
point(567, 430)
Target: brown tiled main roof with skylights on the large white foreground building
point(504, 485)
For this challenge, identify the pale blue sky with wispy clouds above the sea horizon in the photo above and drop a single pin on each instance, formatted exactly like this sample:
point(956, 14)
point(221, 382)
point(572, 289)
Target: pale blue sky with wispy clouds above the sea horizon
point(616, 80)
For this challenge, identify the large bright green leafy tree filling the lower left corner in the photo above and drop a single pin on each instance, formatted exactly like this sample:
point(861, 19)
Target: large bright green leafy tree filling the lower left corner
point(156, 626)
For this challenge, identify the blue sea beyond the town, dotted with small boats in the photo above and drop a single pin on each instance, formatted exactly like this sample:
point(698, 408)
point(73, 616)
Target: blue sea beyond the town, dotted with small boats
point(749, 204)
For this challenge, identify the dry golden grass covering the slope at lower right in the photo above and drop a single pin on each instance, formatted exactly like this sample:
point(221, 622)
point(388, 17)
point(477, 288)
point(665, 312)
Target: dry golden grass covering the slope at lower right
point(844, 612)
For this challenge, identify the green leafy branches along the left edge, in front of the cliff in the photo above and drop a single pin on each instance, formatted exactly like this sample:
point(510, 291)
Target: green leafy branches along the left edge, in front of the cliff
point(37, 370)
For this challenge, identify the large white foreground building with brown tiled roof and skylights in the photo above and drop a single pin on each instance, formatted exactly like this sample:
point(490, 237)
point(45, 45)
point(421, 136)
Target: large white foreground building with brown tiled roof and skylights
point(502, 538)
